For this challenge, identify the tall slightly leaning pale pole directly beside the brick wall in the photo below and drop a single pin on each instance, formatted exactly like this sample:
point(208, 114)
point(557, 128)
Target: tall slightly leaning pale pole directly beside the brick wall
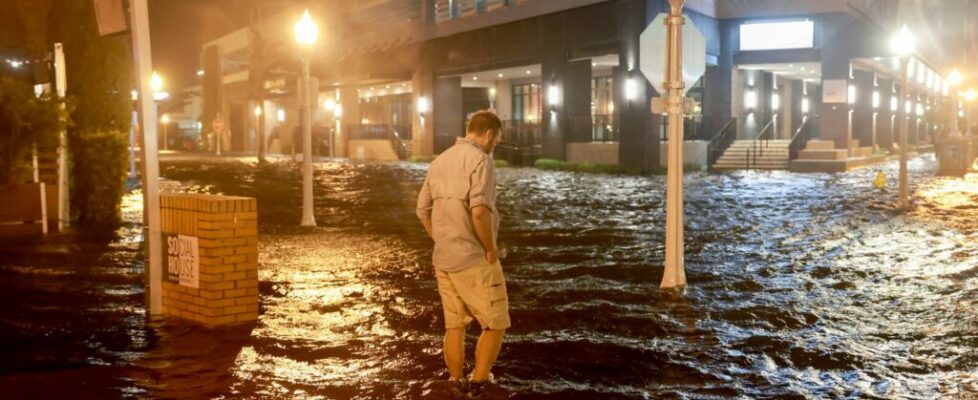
point(151, 199)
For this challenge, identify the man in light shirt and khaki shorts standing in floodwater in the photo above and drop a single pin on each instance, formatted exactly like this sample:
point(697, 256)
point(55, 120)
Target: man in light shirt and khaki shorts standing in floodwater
point(457, 206)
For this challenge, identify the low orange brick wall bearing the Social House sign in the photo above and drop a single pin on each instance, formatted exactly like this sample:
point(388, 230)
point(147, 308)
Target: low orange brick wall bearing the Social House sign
point(227, 231)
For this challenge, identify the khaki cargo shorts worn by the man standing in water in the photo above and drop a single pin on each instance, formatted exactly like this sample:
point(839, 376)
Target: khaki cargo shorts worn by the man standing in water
point(476, 292)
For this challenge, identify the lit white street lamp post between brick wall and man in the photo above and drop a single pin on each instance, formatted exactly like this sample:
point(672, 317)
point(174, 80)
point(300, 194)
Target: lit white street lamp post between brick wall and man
point(306, 32)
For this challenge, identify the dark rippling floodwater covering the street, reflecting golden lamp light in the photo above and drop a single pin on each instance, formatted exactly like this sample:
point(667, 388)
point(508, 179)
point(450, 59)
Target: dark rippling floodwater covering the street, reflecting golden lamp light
point(800, 286)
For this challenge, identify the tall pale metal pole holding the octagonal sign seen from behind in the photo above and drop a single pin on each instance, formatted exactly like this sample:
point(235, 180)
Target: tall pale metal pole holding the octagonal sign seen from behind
point(675, 270)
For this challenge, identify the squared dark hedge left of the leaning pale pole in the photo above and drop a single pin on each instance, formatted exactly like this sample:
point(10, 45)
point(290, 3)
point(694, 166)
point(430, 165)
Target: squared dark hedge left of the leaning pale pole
point(99, 176)
